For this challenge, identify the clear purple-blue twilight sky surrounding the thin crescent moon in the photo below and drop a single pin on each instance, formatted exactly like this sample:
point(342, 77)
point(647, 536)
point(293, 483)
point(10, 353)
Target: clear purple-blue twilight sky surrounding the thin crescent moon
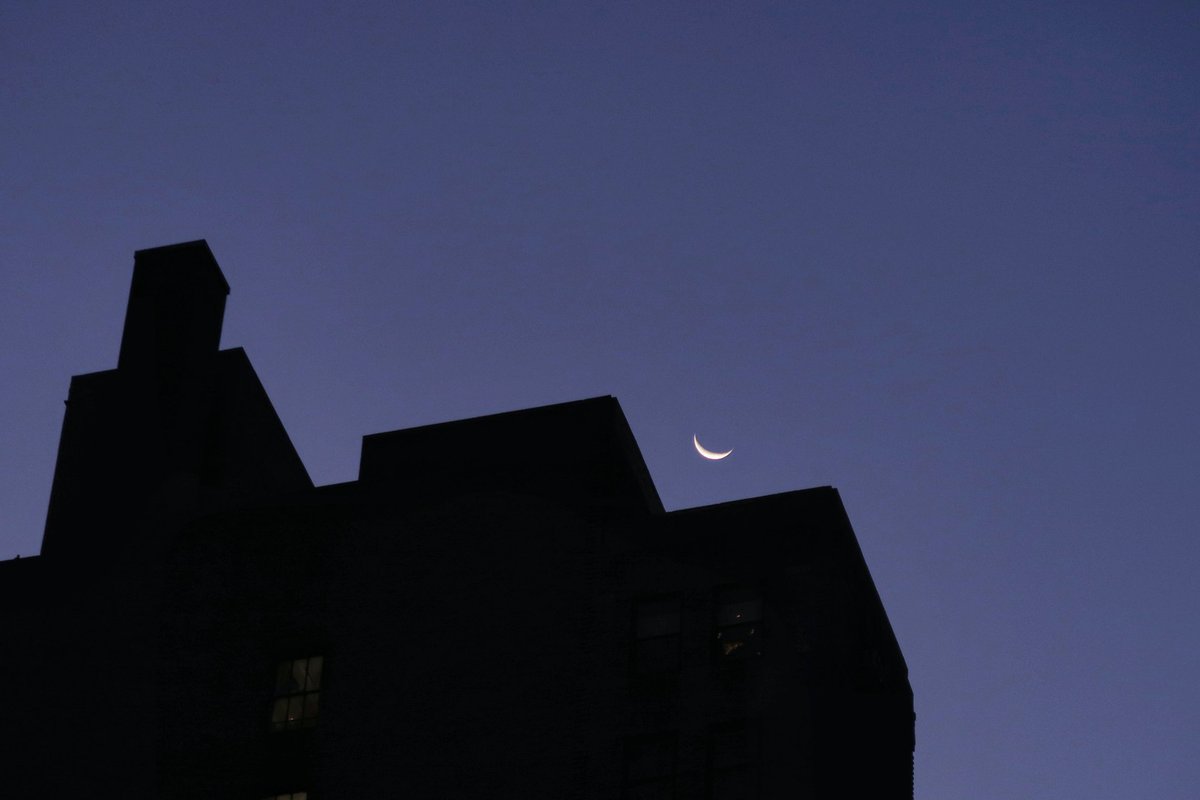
point(945, 257)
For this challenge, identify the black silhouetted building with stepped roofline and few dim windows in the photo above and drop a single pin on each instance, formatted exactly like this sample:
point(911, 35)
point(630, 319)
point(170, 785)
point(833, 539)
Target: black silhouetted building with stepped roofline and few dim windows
point(497, 607)
